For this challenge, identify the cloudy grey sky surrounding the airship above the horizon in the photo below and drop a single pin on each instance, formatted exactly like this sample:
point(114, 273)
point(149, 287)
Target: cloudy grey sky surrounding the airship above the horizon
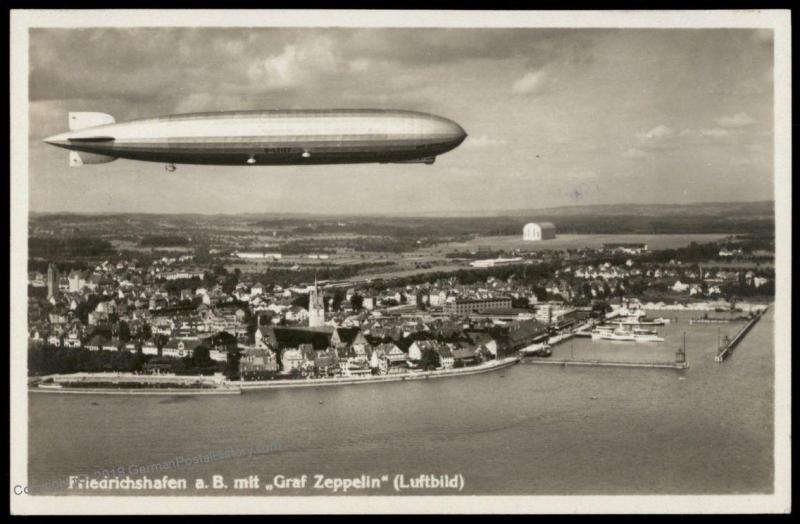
point(555, 117)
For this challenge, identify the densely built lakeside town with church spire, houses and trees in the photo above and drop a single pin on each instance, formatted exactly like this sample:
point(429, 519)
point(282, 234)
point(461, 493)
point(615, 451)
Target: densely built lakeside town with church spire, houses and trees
point(193, 311)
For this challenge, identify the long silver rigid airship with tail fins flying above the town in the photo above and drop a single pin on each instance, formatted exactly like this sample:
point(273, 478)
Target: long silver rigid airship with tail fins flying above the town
point(273, 137)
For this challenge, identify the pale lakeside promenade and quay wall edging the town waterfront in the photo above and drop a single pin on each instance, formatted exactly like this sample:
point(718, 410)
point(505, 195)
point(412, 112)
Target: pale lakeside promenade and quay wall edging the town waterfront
point(238, 388)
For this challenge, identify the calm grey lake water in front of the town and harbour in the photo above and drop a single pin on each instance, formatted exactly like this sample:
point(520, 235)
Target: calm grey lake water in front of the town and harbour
point(525, 430)
